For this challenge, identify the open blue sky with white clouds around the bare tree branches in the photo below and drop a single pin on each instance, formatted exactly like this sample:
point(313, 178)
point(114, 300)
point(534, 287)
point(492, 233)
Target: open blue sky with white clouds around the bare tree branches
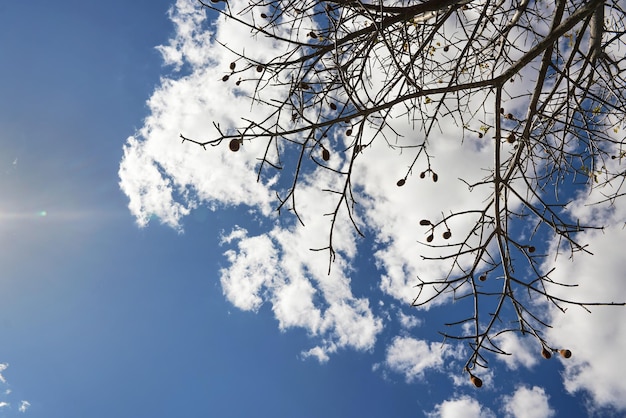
point(100, 317)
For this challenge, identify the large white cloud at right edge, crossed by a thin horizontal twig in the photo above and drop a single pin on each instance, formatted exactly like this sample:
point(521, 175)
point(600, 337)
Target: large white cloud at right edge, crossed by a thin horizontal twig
point(597, 340)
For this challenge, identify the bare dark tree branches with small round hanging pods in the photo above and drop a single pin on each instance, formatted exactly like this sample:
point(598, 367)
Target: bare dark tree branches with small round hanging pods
point(351, 68)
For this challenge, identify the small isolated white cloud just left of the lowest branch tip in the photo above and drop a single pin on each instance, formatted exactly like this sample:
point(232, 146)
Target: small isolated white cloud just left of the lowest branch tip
point(412, 357)
